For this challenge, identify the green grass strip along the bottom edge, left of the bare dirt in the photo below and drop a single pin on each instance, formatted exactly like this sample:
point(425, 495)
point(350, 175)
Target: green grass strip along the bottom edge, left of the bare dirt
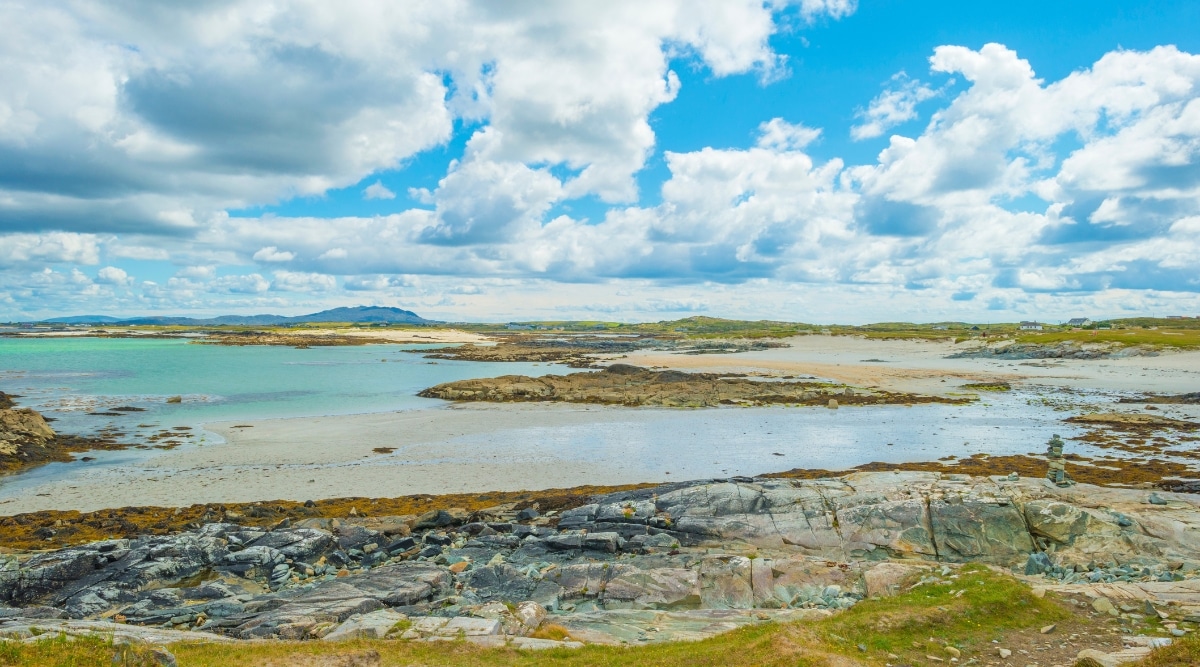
point(989, 605)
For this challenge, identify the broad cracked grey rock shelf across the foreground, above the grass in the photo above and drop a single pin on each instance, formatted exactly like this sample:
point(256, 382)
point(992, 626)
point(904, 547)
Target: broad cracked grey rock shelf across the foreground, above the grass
point(675, 562)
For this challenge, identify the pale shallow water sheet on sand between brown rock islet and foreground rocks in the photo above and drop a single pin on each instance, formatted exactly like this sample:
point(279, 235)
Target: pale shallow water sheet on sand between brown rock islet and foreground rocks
point(728, 442)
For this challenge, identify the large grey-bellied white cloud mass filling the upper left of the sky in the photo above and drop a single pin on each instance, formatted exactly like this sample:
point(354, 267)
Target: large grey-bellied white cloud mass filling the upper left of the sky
point(131, 119)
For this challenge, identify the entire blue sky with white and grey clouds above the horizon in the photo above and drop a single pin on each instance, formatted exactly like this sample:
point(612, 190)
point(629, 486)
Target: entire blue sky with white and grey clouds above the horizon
point(811, 161)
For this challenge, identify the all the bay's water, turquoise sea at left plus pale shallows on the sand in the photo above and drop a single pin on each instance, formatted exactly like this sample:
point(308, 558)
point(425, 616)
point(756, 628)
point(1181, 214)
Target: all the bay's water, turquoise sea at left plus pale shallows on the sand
point(122, 387)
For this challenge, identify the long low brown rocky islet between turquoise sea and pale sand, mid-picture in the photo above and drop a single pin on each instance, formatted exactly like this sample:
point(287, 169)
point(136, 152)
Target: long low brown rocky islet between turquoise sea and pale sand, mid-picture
point(621, 384)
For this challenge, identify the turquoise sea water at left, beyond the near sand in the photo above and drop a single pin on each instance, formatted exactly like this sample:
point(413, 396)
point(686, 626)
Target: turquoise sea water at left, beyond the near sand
point(68, 378)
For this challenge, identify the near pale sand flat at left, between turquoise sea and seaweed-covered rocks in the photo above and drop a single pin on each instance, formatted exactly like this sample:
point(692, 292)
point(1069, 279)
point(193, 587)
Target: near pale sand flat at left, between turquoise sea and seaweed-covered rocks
point(332, 458)
